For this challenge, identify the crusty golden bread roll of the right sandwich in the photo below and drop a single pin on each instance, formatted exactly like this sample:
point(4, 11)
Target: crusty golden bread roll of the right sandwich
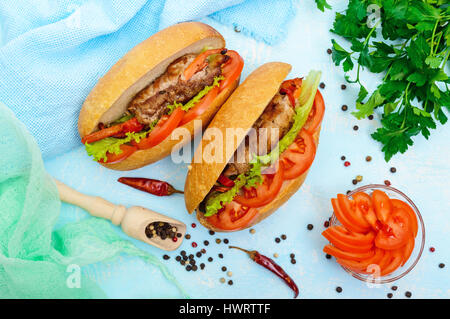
point(241, 110)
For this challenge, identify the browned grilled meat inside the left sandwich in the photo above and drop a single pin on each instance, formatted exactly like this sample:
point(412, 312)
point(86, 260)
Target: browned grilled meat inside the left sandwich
point(150, 103)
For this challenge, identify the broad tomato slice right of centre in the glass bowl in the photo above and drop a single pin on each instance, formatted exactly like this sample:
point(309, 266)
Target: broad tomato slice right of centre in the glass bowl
point(396, 232)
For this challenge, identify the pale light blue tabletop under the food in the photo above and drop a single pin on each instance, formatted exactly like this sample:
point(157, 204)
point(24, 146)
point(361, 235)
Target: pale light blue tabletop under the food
point(423, 173)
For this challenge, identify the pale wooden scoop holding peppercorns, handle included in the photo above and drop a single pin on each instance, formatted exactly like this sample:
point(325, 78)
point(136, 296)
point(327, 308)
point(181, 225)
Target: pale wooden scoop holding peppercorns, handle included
point(133, 220)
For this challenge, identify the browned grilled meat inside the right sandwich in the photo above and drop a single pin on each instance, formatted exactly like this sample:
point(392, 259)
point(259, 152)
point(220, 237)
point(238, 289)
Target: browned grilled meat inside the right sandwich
point(278, 115)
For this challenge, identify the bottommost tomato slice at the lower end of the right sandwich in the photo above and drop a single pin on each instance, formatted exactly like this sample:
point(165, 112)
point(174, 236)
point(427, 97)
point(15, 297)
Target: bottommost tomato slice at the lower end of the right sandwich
point(233, 216)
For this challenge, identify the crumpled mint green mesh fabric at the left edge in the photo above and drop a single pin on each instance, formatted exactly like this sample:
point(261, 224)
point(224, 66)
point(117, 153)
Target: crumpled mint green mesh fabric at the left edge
point(34, 257)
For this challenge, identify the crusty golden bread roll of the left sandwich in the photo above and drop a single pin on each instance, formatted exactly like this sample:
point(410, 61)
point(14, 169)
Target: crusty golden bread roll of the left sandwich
point(148, 60)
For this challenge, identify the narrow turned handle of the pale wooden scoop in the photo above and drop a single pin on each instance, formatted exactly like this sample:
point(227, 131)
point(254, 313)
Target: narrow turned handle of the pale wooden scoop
point(95, 205)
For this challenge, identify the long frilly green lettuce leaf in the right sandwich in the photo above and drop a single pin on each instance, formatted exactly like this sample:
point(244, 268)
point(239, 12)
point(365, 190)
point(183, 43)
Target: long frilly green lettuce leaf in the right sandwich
point(254, 176)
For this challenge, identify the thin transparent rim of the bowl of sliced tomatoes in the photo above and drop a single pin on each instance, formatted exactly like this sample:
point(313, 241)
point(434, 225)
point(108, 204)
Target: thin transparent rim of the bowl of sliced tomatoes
point(382, 280)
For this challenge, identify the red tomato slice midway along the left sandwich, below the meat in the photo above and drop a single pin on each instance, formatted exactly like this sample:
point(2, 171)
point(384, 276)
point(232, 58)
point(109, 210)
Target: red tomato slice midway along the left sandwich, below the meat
point(162, 130)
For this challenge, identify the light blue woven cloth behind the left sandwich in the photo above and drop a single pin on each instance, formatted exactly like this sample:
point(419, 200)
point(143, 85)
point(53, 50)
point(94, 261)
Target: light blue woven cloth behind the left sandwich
point(53, 52)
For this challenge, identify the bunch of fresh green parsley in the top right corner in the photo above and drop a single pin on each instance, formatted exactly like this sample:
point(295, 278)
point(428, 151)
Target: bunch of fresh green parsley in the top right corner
point(412, 56)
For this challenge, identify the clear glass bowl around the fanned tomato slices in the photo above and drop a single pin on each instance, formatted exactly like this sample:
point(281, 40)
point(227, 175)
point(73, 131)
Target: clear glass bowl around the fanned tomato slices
point(419, 240)
